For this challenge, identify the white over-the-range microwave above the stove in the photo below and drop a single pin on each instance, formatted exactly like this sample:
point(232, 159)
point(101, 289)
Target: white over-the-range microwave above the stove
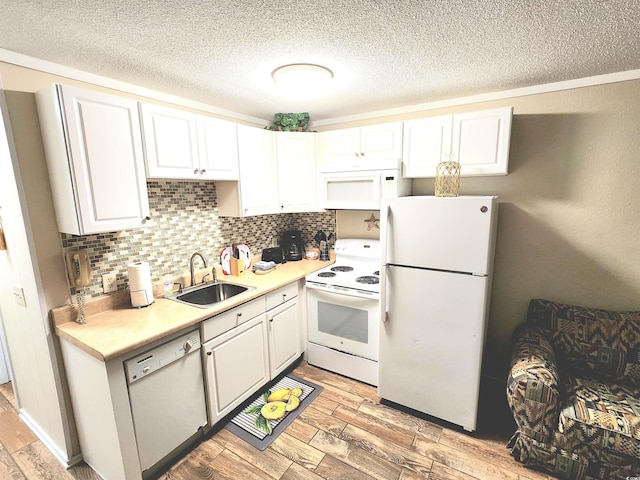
point(362, 189)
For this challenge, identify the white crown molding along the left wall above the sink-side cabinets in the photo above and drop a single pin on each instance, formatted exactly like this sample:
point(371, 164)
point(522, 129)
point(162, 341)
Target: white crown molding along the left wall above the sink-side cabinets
point(21, 60)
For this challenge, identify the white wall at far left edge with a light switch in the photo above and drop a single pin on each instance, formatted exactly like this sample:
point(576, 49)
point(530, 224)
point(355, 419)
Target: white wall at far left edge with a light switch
point(38, 381)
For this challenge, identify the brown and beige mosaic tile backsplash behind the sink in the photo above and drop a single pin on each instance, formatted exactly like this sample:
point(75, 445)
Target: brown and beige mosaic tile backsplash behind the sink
point(185, 220)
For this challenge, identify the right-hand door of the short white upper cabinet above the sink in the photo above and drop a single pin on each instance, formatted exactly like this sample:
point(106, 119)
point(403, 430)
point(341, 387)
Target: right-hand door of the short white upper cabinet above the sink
point(217, 148)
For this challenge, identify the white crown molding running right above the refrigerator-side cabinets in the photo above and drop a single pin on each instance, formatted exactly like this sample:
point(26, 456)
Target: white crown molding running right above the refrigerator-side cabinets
point(487, 97)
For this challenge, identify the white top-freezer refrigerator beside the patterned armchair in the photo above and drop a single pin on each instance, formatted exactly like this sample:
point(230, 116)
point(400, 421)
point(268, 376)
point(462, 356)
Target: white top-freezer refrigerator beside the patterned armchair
point(437, 258)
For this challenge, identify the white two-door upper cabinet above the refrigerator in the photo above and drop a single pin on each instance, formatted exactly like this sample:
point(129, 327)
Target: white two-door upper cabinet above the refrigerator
point(479, 141)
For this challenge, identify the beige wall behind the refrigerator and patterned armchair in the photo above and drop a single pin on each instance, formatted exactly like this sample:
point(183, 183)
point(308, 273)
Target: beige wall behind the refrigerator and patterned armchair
point(569, 222)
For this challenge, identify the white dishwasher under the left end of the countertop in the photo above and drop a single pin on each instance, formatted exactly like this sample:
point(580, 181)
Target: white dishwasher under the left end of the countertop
point(166, 394)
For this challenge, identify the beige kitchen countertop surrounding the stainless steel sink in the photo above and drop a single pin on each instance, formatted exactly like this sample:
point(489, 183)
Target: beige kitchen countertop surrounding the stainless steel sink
point(120, 328)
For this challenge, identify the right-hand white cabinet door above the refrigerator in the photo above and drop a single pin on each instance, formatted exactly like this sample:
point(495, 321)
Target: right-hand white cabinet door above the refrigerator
point(481, 141)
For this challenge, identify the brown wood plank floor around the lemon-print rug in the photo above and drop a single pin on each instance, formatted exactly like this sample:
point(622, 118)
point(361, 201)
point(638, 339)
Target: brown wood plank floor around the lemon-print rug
point(345, 434)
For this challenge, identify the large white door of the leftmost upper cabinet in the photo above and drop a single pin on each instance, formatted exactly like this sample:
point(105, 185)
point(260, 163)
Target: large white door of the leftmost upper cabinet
point(106, 161)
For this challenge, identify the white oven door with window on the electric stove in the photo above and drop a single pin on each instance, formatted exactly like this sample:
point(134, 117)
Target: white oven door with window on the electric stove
point(343, 322)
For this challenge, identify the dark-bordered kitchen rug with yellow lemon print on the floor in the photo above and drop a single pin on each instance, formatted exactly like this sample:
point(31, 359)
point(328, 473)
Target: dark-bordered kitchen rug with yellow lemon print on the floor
point(260, 422)
